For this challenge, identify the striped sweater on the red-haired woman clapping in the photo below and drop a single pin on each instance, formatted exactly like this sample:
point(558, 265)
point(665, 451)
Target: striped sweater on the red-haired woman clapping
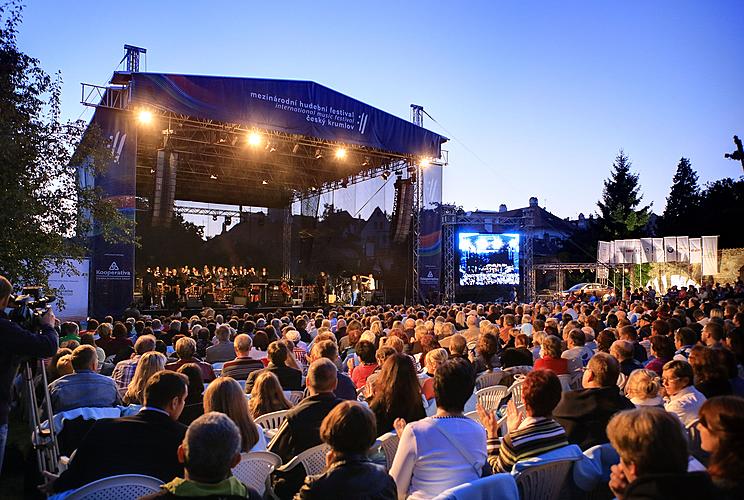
point(534, 437)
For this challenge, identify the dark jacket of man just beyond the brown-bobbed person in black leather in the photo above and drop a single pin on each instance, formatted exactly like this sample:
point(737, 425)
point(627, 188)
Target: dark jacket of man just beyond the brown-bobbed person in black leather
point(301, 430)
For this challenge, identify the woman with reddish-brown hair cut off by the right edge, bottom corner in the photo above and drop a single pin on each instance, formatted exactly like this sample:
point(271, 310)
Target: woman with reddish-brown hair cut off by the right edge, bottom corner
point(721, 430)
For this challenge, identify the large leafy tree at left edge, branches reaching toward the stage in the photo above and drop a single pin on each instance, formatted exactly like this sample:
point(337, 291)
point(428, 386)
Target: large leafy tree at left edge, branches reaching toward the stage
point(45, 214)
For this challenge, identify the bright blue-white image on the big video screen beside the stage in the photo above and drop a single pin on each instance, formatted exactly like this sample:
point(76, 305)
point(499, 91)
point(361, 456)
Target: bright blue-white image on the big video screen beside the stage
point(488, 259)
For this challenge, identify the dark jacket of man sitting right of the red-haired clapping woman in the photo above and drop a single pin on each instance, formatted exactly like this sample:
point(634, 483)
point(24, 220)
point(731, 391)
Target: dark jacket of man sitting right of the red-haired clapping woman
point(585, 414)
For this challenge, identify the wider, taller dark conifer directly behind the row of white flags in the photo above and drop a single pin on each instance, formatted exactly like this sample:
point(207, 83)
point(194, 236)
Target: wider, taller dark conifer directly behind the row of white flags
point(619, 212)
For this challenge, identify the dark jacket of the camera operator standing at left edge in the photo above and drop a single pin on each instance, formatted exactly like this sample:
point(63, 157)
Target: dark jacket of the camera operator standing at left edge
point(17, 342)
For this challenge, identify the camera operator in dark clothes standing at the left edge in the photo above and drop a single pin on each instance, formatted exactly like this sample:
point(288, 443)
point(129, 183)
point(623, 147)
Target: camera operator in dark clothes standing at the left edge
point(16, 342)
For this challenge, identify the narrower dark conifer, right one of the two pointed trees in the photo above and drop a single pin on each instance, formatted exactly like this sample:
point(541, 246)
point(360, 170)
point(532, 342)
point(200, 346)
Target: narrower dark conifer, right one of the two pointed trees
point(683, 202)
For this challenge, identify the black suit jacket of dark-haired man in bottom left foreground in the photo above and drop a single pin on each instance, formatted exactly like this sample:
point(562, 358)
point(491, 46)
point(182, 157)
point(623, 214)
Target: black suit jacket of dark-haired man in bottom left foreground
point(145, 443)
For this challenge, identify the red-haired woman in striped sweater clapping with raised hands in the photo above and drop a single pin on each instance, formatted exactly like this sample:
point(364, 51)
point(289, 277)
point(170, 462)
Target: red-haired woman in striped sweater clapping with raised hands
point(533, 431)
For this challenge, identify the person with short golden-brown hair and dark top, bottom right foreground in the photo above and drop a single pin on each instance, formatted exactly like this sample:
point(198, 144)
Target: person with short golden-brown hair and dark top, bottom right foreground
point(653, 458)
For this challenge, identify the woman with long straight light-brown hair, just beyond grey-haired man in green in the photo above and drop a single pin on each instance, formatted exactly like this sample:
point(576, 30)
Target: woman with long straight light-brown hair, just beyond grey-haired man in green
point(226, 396)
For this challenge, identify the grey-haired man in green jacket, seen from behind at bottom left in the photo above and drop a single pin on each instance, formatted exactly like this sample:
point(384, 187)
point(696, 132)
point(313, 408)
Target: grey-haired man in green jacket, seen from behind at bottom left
point(209, 451)
